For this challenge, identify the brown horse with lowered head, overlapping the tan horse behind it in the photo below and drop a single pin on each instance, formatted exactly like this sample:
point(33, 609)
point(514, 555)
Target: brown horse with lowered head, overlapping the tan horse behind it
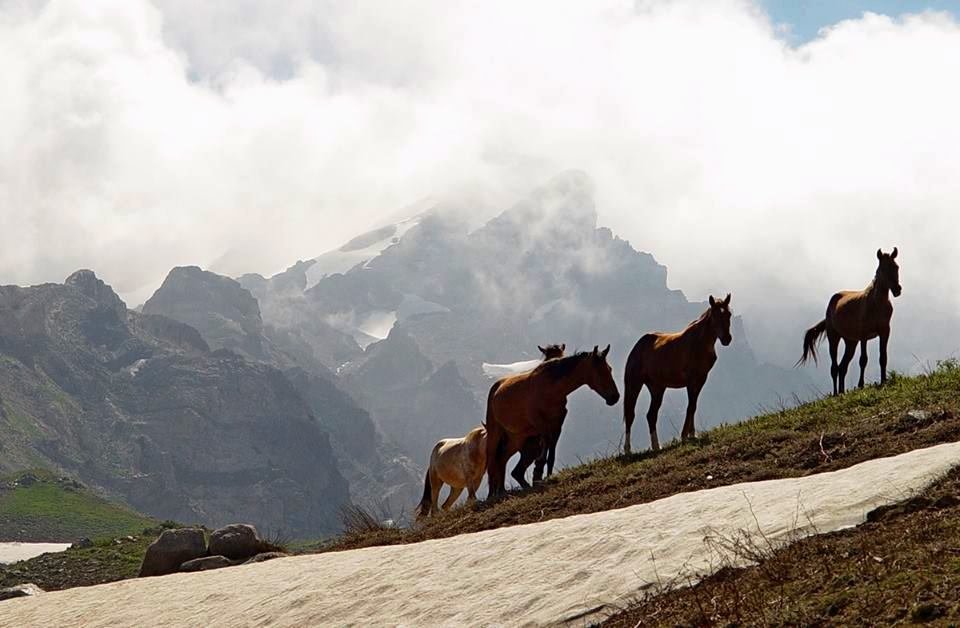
point(534, 404)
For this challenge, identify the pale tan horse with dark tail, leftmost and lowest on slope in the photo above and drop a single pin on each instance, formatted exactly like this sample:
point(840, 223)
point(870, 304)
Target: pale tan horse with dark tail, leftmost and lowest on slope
point(459, 462)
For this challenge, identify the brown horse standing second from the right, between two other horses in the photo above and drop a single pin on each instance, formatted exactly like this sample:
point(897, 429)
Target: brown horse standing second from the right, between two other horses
point(681, 360)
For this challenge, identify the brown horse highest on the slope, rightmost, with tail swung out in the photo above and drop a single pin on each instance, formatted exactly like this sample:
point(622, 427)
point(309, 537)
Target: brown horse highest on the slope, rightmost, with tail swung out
point(857, 316)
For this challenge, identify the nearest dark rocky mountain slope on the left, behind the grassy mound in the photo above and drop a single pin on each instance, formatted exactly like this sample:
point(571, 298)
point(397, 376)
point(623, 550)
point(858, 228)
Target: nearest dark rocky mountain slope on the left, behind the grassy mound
point(137, 405)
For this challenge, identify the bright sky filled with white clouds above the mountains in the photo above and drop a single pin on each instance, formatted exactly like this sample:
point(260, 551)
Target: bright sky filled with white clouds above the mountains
point(761, 147)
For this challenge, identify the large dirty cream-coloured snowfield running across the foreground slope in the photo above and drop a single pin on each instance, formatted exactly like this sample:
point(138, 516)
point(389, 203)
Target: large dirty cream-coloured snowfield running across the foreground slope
point(568, 570)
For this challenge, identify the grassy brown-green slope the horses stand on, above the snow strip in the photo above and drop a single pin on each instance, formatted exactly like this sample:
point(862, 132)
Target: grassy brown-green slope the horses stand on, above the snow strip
point(820, 436)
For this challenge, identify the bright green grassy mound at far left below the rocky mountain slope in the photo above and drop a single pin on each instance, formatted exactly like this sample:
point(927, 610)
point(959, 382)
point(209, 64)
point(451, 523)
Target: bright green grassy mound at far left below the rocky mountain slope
point(54, 509)
